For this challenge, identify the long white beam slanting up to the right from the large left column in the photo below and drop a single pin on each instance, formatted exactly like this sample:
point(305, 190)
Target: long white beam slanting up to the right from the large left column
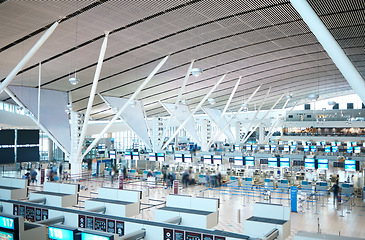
point(121, 110)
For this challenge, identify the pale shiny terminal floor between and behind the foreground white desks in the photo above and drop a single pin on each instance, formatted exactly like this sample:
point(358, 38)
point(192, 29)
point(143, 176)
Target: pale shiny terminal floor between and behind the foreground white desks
point(315, 214)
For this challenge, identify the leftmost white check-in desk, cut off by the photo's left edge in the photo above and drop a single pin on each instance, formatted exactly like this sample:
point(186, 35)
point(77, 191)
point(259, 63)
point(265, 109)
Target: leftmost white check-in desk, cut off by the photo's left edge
point(13, 188)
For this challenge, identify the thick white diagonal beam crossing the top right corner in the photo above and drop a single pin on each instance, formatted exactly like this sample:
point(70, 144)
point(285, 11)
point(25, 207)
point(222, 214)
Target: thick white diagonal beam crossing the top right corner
point(333, 49)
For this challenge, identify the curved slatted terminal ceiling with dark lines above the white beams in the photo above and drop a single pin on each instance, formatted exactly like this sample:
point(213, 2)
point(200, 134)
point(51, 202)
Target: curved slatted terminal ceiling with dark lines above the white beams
point(265, 42)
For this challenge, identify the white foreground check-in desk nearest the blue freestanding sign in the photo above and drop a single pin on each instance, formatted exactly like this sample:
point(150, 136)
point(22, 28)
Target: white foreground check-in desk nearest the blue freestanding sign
point(267, 217)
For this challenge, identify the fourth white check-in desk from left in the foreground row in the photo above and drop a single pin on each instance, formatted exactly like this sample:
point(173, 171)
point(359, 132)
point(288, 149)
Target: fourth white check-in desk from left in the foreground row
point(194, 212)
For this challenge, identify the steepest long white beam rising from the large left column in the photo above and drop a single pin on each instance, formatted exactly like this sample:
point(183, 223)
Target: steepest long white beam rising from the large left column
point(92, 93)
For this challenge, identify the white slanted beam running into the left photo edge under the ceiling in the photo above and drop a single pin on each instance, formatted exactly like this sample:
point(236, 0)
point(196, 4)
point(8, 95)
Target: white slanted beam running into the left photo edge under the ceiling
point(27, 57)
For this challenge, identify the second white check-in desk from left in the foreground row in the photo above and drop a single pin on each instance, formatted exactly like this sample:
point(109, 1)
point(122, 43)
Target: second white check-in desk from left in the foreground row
point(57, 194)
